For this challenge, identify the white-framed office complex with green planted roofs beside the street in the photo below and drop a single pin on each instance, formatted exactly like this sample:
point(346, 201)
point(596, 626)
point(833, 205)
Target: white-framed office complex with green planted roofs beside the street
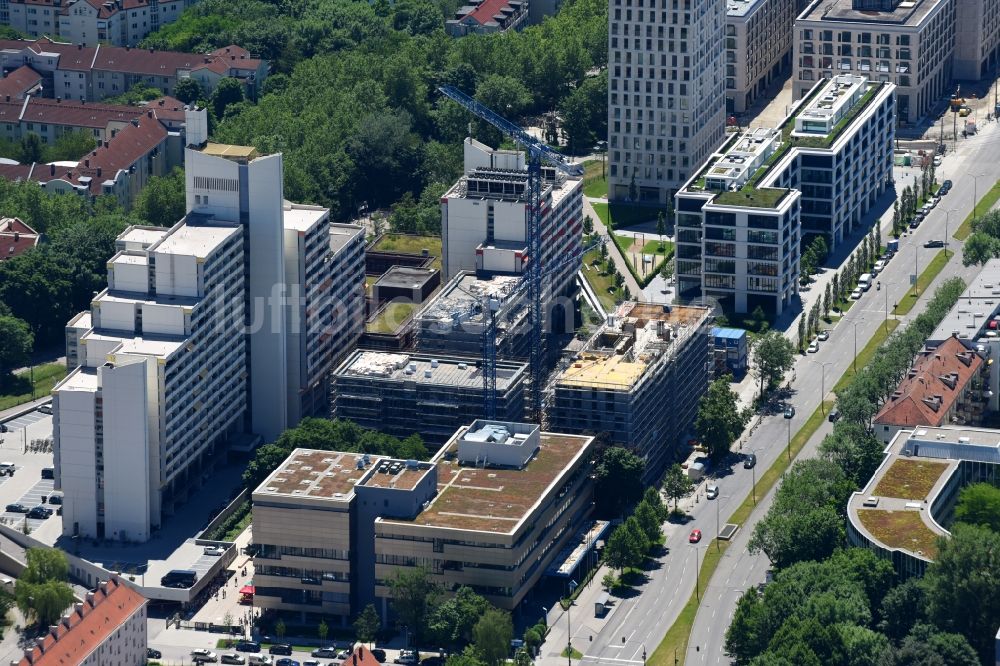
point(742, 220)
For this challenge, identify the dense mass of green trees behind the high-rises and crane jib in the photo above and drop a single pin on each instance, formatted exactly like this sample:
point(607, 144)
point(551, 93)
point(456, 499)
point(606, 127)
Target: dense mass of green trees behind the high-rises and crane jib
point(352, 102)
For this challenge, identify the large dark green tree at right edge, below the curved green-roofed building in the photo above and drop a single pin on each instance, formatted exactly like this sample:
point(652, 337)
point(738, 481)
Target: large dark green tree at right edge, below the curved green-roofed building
point(963, 585)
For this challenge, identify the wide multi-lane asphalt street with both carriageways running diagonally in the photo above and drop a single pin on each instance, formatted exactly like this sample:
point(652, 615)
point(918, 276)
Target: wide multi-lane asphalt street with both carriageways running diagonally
point(639, 623)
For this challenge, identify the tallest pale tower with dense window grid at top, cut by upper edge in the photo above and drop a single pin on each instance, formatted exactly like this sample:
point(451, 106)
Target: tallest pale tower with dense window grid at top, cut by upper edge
point(666, 97)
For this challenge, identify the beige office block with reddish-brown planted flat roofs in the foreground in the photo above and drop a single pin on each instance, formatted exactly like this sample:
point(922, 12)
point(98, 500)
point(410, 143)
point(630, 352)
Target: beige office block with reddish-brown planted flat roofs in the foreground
point(491, 510)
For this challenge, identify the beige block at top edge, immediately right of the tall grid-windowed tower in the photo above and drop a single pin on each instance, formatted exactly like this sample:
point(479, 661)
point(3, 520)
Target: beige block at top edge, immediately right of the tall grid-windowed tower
point(758, 48)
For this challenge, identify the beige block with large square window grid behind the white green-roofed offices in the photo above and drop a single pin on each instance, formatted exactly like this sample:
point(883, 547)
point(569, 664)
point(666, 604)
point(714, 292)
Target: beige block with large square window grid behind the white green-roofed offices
point(909, 44)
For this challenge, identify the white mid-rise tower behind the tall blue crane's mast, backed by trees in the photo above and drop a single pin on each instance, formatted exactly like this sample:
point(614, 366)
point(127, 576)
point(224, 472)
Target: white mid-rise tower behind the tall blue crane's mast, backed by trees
point(484, 218)
